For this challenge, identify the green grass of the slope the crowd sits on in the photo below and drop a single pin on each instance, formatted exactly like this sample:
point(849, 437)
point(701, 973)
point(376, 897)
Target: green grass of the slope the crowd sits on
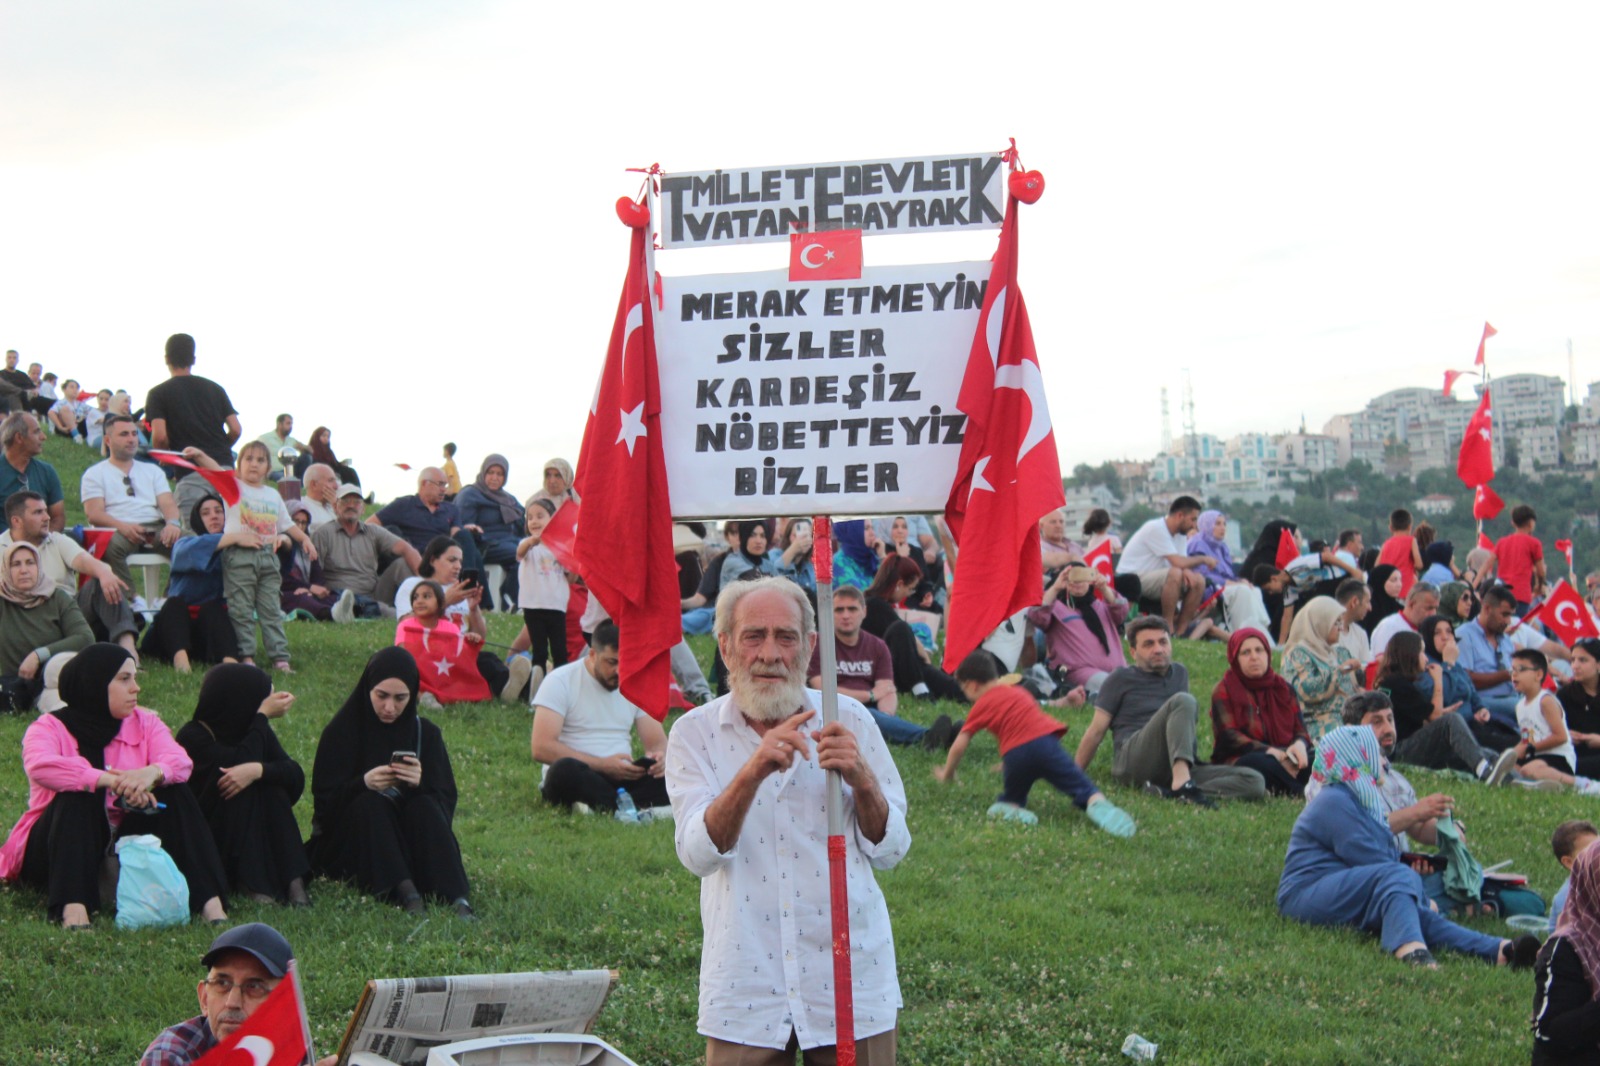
point(1015, 945)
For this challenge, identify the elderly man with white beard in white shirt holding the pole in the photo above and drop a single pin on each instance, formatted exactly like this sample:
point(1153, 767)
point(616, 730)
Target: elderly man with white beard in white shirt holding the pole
point(748, 777)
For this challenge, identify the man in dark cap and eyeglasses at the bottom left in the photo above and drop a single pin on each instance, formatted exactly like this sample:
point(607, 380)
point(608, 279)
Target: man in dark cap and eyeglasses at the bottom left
point(242, 969)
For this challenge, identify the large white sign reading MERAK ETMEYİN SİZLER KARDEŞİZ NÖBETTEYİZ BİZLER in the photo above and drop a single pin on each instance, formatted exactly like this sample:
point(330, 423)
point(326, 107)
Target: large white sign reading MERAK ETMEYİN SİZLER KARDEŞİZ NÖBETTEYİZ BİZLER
point(791, 398)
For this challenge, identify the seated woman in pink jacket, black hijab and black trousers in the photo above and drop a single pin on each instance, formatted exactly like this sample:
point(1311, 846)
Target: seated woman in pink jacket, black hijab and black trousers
point(100, 767)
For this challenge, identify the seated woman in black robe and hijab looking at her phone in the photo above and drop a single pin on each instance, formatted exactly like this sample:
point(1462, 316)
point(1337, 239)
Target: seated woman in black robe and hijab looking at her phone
point(385, 796)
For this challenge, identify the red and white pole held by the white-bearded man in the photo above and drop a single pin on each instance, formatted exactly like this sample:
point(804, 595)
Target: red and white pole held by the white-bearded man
point(844, 992)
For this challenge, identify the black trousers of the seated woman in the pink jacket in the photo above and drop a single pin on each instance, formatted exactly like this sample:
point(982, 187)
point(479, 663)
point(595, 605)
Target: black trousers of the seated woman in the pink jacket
point(71, 840)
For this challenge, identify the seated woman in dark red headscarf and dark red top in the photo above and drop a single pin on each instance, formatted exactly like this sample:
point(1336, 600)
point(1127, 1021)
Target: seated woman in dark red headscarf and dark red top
point(1257, 721)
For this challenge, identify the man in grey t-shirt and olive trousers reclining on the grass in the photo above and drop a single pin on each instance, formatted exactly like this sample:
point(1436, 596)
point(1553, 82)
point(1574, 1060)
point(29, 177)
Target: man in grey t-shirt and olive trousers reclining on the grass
point(1153, 723)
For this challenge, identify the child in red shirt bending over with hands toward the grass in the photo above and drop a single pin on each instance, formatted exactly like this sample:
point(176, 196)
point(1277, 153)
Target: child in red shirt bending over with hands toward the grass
point(1030, 748)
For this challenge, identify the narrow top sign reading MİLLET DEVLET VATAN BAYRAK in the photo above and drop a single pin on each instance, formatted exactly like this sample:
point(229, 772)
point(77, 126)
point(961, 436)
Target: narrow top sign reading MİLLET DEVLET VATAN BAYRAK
point(892, 196)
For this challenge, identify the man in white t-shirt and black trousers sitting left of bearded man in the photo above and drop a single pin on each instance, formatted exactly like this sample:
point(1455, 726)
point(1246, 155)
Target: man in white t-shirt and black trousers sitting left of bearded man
point(583, 731)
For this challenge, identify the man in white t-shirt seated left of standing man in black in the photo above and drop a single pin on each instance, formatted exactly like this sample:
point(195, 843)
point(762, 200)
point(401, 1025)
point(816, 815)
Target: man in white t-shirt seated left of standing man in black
point(130, 497)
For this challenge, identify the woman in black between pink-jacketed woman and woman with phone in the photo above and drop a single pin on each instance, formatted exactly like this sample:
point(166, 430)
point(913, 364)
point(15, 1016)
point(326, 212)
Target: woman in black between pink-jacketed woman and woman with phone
point(247, 785)
